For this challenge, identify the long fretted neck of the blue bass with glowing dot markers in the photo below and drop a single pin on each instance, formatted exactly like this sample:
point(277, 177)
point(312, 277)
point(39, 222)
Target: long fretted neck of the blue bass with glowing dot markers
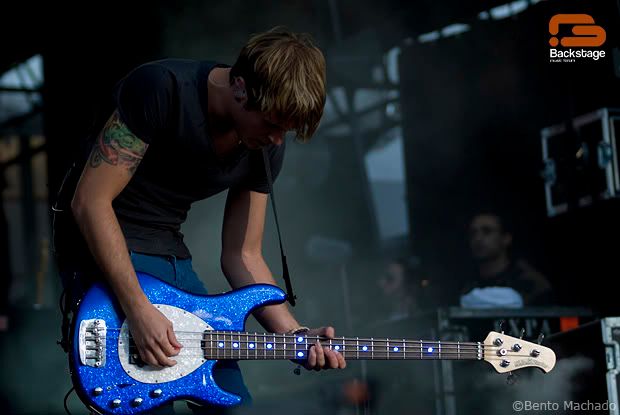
point(221, 345)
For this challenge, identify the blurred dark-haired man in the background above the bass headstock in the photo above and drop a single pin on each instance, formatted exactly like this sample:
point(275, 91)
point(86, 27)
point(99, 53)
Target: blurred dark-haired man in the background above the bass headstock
point(500, 278)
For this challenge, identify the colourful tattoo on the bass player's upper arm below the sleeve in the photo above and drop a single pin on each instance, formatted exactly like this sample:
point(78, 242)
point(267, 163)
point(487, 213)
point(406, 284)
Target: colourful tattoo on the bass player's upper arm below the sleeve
point(116, 145)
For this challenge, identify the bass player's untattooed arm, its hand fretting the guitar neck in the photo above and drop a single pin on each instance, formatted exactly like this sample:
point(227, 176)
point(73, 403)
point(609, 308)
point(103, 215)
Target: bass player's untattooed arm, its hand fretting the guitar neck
point(242, 263)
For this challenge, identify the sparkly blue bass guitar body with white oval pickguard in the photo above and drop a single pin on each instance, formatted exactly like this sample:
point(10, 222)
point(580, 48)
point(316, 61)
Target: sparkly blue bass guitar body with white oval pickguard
point(106, 370)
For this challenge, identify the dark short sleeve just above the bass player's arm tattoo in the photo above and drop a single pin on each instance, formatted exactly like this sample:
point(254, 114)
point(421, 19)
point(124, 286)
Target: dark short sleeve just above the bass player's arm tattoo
point(144, 99)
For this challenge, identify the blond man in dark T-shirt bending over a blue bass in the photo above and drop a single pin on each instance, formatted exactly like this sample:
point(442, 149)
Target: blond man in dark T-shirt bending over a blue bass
point(183, 131)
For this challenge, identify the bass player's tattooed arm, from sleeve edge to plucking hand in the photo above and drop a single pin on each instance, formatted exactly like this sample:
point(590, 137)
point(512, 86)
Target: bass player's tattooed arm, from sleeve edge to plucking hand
point(113, 160)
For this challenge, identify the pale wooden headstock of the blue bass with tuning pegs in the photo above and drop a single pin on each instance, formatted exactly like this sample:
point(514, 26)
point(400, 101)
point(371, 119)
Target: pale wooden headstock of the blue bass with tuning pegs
point(506, 353)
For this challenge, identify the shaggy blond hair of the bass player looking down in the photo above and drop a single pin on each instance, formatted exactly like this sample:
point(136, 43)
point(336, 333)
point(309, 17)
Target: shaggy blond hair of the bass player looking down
point(285, 78)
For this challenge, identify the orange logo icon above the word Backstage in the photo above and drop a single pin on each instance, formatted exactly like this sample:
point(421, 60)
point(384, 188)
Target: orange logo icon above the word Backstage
point(587, 33)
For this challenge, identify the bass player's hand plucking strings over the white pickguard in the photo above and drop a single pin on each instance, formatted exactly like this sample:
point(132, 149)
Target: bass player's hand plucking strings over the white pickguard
point(153, 335)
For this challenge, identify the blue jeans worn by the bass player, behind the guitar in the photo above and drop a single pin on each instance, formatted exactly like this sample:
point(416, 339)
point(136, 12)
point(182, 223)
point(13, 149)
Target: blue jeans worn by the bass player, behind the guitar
point(180, 273)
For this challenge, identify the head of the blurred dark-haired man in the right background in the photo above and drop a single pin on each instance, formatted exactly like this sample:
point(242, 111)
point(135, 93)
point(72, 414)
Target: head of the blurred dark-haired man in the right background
point(487, 239)
